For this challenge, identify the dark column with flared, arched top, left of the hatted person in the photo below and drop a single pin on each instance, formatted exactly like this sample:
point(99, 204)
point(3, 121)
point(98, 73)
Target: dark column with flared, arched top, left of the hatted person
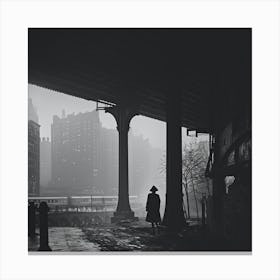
point(123, 115)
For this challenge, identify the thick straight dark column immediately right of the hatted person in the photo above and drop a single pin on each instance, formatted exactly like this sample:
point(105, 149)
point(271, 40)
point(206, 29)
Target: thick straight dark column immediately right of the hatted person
point(174, 215)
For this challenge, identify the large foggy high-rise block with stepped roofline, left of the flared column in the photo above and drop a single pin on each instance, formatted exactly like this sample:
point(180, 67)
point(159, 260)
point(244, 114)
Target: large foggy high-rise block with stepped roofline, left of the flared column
point(75, 142)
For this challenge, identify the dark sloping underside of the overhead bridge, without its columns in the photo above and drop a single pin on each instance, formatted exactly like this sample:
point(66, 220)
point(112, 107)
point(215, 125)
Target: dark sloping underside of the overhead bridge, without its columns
point(143, 67)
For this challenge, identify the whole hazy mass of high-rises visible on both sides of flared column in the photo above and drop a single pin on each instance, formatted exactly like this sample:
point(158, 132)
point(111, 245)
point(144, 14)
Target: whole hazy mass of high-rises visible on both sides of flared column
point(85, 158)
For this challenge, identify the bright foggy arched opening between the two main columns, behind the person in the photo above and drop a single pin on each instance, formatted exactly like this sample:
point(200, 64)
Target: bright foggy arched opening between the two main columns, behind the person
point(147, 145)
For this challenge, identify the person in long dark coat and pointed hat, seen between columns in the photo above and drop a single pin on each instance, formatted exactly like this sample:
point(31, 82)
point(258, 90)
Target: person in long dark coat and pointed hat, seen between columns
point(152, 208)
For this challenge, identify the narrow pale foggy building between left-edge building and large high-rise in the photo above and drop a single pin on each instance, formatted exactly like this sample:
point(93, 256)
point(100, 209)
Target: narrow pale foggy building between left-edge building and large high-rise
point(45, 162)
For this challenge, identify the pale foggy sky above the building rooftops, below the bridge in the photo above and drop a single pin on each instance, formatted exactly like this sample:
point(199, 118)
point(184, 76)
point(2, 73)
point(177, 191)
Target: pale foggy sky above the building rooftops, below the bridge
point(49, 103)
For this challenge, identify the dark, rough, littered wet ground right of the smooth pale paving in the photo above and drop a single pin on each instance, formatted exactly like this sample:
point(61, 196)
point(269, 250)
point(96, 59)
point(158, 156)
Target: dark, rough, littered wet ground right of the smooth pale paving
point(138, 236)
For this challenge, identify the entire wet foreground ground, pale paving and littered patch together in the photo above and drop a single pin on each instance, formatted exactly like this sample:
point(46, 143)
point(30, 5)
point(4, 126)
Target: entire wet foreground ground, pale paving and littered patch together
point(136, 236)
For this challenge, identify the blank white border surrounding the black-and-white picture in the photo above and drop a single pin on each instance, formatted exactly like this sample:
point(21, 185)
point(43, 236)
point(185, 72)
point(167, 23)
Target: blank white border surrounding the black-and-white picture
point(17, 16)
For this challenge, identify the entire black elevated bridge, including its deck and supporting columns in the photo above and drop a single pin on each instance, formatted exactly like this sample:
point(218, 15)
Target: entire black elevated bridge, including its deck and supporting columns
point(194, 78)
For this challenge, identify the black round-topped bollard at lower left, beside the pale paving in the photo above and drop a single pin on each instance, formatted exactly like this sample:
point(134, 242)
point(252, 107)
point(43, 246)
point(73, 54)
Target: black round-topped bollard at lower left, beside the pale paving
point(44, 234)
